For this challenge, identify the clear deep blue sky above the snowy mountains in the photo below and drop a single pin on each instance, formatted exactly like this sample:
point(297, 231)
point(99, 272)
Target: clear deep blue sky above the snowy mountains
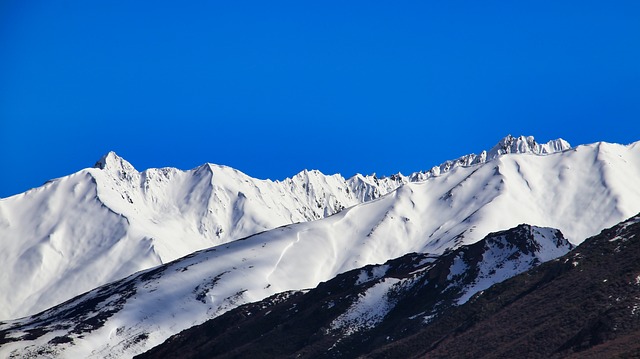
point(273, 87)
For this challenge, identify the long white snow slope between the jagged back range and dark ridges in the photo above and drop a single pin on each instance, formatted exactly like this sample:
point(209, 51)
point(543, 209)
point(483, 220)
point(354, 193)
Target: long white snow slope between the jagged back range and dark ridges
point(579, 191)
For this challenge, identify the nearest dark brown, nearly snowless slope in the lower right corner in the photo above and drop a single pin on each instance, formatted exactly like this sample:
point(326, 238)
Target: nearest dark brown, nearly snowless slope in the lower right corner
point(583, 305)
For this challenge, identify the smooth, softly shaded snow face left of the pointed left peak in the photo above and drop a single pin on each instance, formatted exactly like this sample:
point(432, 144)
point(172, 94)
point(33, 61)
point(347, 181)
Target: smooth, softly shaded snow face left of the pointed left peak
point(60, 236)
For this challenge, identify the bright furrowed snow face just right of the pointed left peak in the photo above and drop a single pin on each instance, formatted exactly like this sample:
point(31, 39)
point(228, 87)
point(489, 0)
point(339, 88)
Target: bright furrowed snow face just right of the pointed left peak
point(185, 211)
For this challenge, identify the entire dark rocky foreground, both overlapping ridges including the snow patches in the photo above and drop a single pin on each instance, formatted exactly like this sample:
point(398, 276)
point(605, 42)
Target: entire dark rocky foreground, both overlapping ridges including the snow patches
point(583, 304)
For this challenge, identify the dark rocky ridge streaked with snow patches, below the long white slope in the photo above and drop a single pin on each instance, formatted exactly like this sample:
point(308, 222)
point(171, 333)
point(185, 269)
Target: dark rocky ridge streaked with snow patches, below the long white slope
point(365, 308)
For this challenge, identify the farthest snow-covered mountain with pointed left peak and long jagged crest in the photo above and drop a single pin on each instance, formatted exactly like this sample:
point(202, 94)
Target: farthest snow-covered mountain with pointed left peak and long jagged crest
point(104, 223)
